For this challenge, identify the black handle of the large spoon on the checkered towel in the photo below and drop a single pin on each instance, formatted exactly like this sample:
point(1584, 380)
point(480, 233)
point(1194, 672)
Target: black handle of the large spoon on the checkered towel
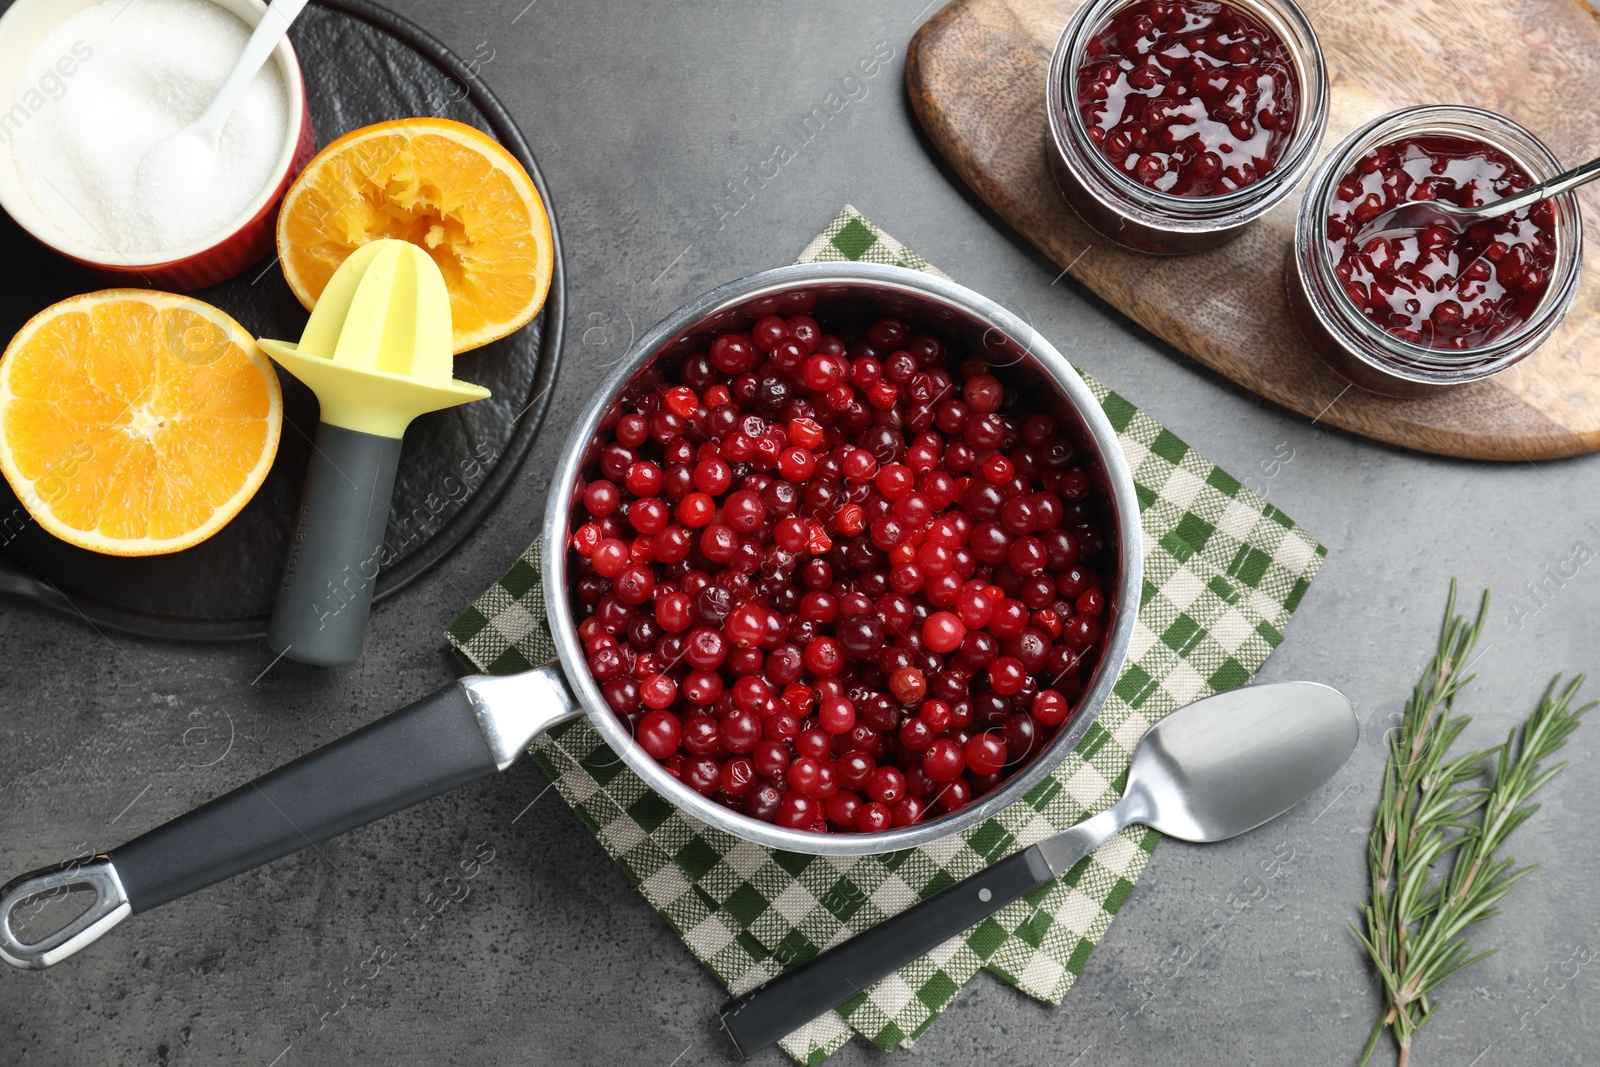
point(825, 981)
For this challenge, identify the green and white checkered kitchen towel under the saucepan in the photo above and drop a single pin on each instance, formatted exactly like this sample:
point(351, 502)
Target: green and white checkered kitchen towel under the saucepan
point(1223, 573)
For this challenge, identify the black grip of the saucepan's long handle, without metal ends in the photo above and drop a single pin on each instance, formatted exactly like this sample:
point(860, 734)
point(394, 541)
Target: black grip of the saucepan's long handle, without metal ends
point(418, 753)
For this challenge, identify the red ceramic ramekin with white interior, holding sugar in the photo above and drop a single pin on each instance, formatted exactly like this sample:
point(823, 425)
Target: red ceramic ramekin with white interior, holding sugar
point(218, 258)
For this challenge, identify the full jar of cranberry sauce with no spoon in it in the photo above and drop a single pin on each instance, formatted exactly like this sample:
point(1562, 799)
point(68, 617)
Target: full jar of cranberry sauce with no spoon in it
point(1175, 124)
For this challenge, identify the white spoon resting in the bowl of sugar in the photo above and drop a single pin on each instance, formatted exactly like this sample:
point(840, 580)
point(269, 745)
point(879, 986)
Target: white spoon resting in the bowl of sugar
point(180, 167)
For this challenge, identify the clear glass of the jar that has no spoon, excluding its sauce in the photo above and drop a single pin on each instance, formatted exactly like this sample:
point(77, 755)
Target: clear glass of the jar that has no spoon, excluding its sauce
point(1146, 220)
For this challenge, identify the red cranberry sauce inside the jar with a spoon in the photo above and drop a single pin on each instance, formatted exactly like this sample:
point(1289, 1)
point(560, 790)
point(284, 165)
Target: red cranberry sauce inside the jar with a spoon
point(1434, 287)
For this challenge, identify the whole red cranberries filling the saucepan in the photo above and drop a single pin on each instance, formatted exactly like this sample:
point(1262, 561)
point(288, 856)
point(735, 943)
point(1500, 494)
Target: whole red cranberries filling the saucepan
point(839, 578)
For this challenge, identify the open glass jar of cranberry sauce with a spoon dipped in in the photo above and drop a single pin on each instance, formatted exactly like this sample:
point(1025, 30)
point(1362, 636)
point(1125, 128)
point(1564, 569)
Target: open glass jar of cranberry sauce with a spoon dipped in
point(1414, 313)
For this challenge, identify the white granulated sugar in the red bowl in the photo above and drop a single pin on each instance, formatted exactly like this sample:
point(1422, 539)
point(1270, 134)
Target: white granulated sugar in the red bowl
point(153, 68)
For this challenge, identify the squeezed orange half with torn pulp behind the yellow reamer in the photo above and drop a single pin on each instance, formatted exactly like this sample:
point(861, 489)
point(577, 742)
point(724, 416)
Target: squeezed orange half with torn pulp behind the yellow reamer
point(444, 186)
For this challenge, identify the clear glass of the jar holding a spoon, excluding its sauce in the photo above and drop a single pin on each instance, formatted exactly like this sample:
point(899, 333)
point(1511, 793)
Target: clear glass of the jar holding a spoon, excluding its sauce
point(1362, 351)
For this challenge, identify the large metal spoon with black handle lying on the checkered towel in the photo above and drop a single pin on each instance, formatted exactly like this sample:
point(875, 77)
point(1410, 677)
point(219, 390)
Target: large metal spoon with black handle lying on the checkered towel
point(1206, 773)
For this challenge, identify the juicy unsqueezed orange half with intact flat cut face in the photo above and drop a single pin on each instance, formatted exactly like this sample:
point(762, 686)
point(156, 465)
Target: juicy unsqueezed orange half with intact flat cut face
point(137, 423)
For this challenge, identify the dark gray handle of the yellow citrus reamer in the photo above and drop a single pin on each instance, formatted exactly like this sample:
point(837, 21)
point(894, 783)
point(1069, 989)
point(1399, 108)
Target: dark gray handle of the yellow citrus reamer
point(332, 569)
